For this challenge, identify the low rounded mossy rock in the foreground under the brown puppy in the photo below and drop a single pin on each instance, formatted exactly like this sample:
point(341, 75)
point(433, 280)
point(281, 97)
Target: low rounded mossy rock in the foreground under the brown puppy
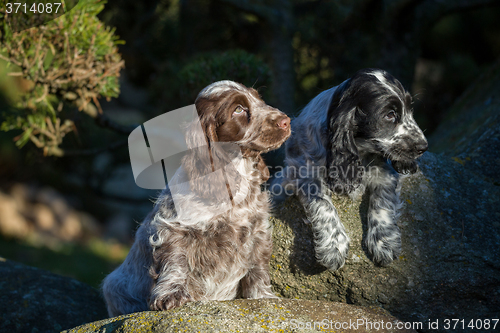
point(267, 315)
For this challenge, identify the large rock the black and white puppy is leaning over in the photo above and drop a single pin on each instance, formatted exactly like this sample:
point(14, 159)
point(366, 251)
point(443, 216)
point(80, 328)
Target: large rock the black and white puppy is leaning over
point(449, 266)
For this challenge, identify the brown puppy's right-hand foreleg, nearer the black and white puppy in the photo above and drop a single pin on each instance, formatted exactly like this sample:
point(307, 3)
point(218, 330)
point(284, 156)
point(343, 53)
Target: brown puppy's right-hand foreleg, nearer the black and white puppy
point(257, 283)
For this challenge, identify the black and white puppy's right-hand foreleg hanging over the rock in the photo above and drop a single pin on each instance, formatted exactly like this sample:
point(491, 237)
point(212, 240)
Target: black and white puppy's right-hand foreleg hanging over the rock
point(383, 238)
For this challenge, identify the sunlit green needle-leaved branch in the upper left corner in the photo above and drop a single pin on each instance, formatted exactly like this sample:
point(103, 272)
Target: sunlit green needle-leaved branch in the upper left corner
point(71, 61)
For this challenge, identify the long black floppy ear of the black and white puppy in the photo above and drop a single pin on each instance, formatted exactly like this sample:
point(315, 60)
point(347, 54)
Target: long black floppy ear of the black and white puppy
point(344, 164)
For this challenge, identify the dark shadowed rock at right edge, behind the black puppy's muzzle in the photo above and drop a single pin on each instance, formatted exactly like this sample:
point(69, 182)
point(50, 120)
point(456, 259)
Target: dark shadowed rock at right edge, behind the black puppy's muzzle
point(470, 132)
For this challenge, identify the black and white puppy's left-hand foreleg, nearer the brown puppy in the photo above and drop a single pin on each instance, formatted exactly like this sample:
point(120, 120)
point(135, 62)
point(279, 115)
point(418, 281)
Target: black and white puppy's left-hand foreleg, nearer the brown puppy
point(330, 239)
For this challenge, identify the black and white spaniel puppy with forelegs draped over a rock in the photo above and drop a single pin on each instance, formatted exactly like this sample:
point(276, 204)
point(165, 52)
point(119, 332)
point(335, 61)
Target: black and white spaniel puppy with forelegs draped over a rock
point(354, 137)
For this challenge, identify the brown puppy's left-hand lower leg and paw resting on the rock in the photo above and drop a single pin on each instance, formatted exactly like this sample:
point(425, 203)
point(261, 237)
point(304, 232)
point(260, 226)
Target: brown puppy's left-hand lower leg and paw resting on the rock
point(169, 289)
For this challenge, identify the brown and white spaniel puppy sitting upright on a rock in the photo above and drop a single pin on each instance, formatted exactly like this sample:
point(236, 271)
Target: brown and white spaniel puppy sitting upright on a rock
point(190, 247)
